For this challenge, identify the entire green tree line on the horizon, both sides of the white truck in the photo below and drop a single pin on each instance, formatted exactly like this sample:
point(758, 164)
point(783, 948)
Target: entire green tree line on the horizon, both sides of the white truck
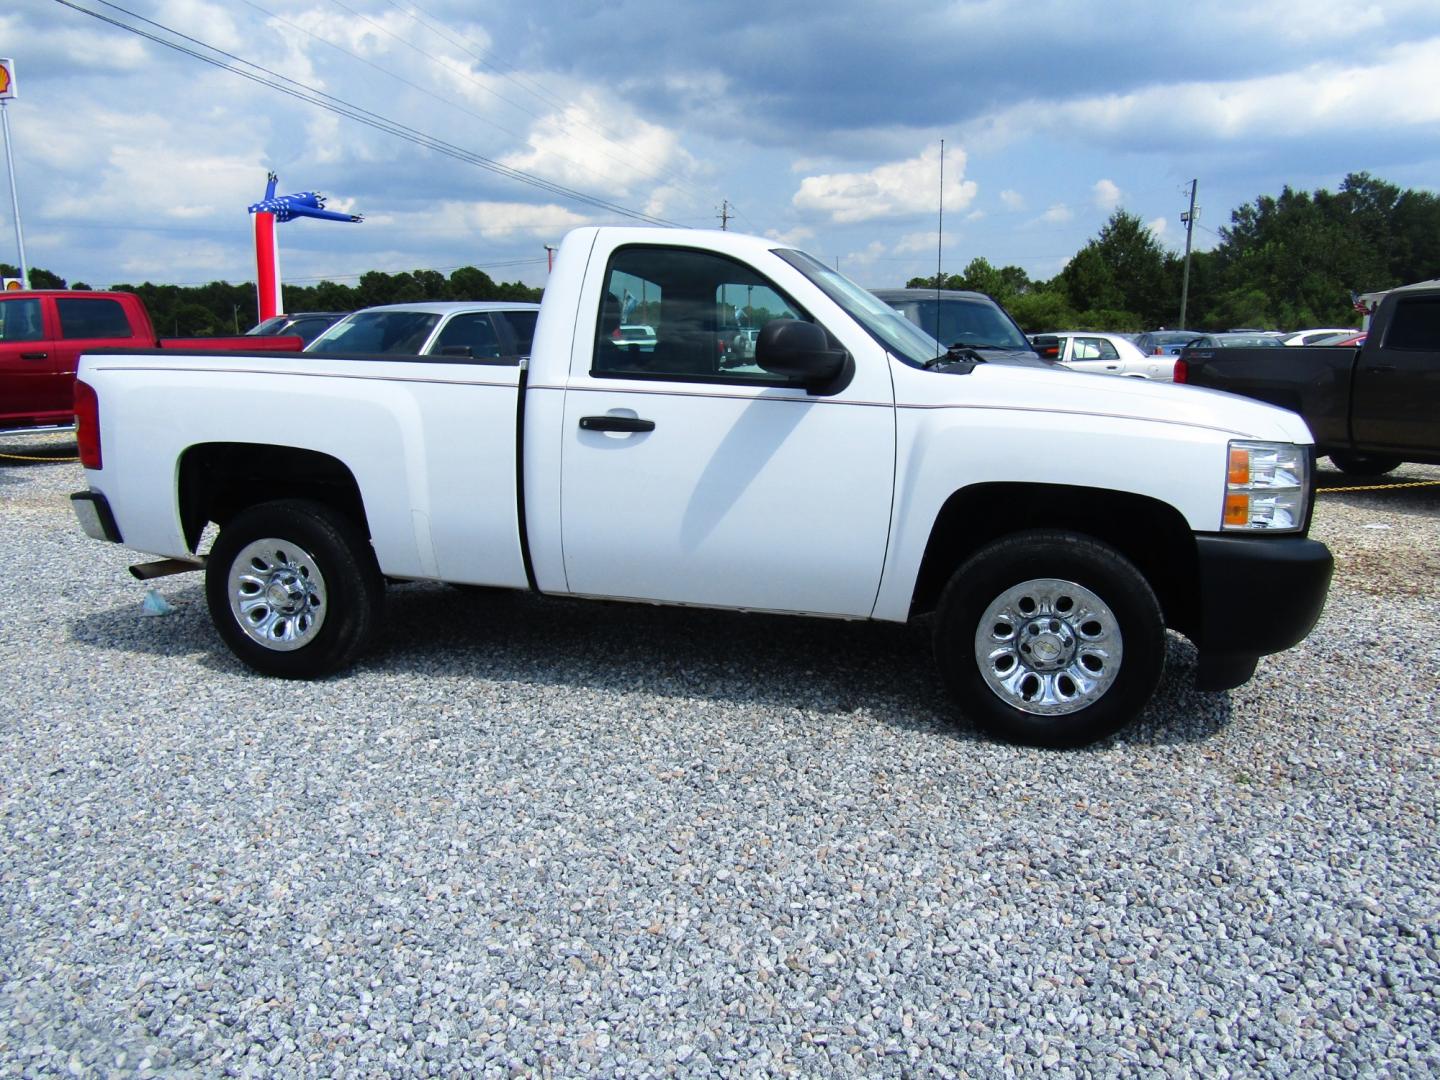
point(1285, 261)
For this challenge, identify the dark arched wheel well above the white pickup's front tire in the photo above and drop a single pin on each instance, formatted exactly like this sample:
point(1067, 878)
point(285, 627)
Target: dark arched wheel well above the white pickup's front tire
point(1150, 534)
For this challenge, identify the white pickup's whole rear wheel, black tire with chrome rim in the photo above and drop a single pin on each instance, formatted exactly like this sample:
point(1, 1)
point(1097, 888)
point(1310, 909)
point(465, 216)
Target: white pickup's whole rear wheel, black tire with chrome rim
point(302, 607)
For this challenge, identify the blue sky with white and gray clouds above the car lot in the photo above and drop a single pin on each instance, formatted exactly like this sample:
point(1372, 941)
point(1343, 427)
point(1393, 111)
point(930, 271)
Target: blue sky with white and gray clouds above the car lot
point(819, 125)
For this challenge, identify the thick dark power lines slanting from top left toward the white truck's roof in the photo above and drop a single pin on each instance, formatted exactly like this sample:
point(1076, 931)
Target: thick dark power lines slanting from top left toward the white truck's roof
point(345, 109)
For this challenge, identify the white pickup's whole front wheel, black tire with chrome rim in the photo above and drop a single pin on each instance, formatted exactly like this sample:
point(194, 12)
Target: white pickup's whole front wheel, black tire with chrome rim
point(1089, 650)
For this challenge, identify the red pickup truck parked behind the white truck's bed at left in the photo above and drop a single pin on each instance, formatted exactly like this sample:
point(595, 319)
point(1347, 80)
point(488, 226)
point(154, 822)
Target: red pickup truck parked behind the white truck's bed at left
point(44, 333)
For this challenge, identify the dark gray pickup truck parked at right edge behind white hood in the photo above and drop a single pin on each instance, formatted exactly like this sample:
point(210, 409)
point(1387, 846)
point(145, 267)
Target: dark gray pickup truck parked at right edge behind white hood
point(1370, 408)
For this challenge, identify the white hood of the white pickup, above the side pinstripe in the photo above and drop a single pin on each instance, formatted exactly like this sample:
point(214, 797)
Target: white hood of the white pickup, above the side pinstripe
point(1033, 390)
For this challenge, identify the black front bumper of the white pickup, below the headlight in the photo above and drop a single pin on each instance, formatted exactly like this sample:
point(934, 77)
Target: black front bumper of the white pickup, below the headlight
point(1259, 594)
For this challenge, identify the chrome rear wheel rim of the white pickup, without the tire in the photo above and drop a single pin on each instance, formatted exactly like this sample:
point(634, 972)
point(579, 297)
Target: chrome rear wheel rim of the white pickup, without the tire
point(277, 594)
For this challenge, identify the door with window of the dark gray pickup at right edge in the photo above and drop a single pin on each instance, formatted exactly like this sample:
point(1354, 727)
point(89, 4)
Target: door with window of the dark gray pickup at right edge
point(1398, 387)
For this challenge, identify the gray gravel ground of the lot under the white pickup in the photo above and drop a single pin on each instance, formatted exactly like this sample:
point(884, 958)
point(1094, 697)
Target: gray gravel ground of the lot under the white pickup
point(552, 839)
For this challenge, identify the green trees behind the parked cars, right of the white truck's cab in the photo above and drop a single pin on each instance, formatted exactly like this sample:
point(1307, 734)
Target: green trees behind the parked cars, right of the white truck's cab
point(1284, 263)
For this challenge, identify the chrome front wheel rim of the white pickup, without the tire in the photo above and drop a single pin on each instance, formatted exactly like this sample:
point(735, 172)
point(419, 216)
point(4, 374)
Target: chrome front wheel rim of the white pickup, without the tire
point(1049, 647)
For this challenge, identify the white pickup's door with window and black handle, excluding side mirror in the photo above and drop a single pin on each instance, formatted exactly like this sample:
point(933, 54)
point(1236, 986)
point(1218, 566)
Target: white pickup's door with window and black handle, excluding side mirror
point(692, 476)
